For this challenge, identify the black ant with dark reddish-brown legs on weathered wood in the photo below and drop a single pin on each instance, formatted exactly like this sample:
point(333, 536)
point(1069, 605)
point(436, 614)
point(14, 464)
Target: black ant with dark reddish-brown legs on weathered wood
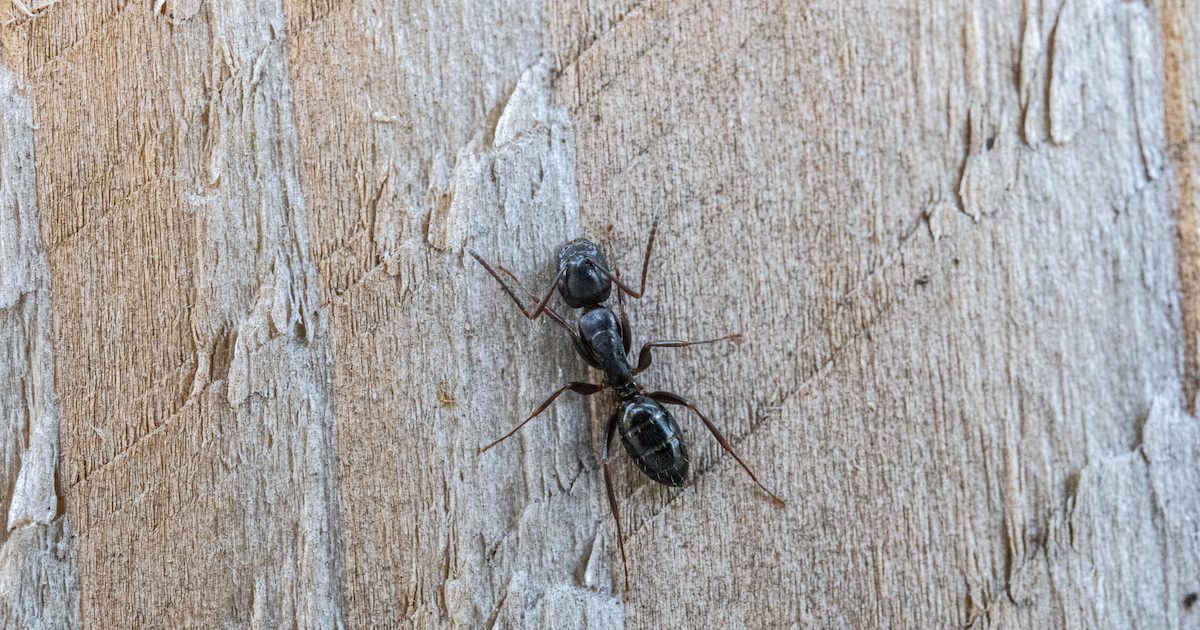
point(649, 431)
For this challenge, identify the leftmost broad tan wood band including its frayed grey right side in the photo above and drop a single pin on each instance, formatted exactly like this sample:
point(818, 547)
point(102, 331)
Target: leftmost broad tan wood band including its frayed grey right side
point(193, 357)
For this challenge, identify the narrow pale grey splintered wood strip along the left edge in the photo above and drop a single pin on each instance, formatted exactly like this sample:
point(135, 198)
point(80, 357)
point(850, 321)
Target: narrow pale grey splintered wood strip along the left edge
point(38, 573)
